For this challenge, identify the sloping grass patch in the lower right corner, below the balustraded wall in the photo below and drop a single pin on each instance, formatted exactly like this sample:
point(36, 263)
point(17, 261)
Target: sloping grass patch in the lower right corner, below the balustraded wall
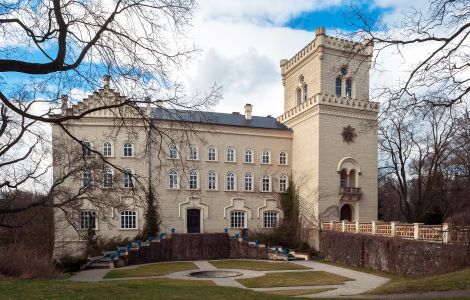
point(445, 282)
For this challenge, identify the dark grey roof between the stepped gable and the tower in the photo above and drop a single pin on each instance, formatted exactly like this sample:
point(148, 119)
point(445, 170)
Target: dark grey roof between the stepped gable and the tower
point(215, 118)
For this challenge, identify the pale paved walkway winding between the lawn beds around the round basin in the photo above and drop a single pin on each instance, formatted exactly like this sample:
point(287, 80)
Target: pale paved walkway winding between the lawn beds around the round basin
point(362, 282)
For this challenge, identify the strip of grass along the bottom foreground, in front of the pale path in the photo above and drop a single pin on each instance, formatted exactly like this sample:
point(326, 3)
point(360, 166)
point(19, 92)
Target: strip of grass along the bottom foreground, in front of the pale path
point(163, 288)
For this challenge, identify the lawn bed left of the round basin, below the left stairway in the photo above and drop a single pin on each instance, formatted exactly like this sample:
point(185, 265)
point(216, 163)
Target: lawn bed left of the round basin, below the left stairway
point(157, 269)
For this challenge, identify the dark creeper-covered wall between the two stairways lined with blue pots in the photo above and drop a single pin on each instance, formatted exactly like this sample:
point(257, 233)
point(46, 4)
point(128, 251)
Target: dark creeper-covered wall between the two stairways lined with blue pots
point(193, 247)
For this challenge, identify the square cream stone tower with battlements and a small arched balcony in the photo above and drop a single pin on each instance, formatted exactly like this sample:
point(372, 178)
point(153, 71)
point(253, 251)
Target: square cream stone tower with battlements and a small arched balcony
point(334, 148)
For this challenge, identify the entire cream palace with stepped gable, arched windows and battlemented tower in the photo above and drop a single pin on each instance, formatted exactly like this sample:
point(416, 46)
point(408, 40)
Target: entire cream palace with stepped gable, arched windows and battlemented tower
point(210, 171)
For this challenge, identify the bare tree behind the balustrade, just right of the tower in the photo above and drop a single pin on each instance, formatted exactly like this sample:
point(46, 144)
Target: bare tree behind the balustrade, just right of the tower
point(416, 148)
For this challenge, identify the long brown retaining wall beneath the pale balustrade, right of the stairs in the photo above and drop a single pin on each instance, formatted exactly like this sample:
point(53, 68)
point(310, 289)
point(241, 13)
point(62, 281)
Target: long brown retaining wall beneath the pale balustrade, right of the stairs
point(405, 257)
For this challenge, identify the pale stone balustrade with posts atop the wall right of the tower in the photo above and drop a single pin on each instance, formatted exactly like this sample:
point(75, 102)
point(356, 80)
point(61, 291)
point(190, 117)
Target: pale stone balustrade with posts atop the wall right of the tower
point(444, 233)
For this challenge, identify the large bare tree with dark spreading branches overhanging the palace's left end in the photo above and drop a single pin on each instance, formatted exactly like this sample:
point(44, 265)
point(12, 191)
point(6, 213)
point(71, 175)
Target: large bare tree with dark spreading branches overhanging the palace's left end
point(53, 48)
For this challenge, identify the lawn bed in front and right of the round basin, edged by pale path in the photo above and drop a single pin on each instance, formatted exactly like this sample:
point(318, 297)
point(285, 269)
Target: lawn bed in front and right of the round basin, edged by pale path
point(293, 279)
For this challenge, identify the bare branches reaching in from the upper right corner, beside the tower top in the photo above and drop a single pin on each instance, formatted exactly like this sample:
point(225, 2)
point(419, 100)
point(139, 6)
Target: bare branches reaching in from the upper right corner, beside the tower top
point(440, 75)
